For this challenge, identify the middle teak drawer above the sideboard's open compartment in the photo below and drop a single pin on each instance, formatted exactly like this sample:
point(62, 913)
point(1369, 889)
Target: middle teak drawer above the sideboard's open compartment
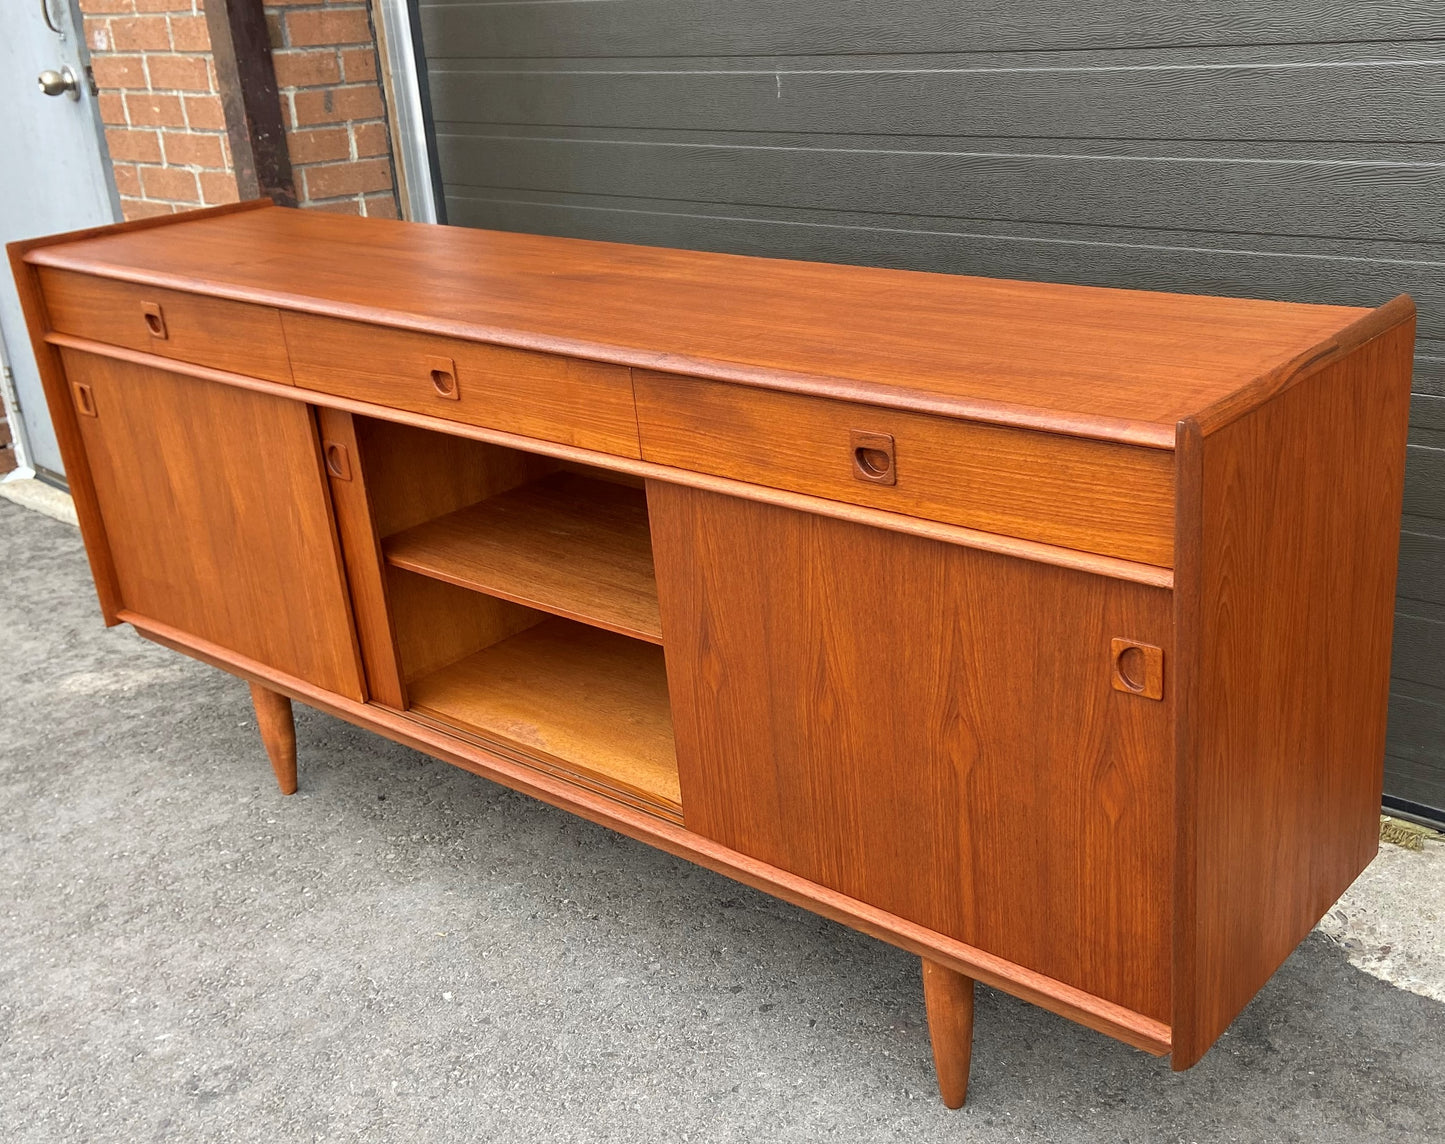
point(545, 396)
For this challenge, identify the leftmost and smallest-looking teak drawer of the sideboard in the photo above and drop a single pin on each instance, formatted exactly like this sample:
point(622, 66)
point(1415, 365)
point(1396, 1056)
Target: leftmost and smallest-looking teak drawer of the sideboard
point(206, 331)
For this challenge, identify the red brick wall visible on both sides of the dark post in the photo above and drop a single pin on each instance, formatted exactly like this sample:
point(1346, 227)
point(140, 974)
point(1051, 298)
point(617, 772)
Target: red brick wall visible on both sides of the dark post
point(165, 122)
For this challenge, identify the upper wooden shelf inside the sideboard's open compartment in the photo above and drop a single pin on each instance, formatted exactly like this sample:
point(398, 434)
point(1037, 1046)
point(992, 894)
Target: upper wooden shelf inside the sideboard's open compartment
point(569, 545)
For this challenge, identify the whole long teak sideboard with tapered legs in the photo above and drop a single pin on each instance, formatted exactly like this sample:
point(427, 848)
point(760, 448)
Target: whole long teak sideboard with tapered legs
point(1040, 630)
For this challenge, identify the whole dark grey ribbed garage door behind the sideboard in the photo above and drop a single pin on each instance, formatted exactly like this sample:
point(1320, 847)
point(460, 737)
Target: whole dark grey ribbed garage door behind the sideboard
point(1235, 148)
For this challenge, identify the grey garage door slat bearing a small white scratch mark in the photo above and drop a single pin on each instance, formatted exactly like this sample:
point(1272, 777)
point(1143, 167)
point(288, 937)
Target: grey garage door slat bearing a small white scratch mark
point(1268, 102)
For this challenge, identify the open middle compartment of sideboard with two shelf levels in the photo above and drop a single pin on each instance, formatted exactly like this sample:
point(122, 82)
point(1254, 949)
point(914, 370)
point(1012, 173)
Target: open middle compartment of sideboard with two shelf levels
point(524, 607)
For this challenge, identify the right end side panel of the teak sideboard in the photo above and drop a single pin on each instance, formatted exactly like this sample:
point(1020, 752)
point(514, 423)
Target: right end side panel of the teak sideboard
point(1290, 603)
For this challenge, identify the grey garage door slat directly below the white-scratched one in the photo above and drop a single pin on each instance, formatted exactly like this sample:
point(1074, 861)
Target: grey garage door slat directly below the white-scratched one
point(1391, 201)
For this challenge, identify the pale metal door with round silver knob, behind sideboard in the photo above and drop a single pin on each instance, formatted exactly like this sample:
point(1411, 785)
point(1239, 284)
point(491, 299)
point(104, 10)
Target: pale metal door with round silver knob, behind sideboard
point(53, 178)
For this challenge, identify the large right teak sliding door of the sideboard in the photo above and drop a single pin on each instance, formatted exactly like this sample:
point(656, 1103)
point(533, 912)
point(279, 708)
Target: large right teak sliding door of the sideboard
point(928, 729)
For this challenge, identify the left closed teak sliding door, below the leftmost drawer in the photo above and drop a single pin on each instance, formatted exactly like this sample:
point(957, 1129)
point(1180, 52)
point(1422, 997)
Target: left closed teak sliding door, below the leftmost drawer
point(217, 516)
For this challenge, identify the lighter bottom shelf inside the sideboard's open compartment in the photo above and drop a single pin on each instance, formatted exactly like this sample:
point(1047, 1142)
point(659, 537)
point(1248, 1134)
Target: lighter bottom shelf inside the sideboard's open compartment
point(580, 701)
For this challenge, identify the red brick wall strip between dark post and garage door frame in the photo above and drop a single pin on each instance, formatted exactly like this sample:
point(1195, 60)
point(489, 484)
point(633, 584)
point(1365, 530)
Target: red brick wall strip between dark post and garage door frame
point(333, 106)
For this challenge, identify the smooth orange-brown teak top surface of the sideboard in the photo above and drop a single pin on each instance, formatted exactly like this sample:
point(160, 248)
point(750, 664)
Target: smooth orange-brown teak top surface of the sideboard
point(1123, 365)
